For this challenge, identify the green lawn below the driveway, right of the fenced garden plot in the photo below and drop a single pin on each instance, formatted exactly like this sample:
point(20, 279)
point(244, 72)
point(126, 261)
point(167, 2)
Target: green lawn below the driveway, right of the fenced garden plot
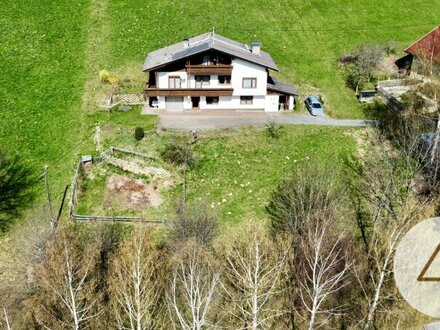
point(240, 169)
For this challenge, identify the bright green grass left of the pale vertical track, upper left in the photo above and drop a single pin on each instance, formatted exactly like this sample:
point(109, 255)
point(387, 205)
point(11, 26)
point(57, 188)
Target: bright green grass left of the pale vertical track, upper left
point(42, 81)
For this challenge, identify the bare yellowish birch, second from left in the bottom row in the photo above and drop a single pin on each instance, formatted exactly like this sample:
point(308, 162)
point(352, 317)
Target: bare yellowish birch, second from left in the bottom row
point(135, 282)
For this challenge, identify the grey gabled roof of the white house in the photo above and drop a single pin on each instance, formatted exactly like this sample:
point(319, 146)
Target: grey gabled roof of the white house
point(203, 43)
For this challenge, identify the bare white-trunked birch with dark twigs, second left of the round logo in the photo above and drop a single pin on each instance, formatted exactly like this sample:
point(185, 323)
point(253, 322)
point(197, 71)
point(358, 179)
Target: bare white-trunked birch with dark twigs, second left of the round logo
point(323, 271)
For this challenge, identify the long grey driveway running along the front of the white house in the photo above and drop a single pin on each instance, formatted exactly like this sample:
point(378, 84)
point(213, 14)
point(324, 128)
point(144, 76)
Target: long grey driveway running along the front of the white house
point(216, 120)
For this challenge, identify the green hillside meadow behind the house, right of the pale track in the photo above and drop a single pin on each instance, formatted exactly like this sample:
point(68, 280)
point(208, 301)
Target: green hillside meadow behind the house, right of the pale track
point(304, 37)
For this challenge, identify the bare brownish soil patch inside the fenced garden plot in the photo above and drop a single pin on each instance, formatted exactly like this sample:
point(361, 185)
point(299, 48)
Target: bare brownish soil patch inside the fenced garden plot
point(128, 193)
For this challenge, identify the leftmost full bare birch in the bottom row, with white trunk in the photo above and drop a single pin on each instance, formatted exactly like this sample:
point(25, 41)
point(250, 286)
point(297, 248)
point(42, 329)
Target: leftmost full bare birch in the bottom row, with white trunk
point(64, 278)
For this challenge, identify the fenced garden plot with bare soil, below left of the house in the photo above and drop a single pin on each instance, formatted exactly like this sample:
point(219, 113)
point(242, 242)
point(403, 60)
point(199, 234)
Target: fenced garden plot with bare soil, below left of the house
point(121, 185)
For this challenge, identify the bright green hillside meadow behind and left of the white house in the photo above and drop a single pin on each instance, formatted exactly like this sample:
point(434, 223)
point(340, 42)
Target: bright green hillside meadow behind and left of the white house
point(51, 53)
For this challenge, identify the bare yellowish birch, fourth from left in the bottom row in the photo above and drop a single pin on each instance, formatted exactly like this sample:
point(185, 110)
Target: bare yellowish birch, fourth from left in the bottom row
point(253, 272)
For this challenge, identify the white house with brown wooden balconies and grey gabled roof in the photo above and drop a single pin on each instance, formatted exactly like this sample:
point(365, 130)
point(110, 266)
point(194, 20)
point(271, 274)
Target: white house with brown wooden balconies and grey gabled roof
point(211, 72)
